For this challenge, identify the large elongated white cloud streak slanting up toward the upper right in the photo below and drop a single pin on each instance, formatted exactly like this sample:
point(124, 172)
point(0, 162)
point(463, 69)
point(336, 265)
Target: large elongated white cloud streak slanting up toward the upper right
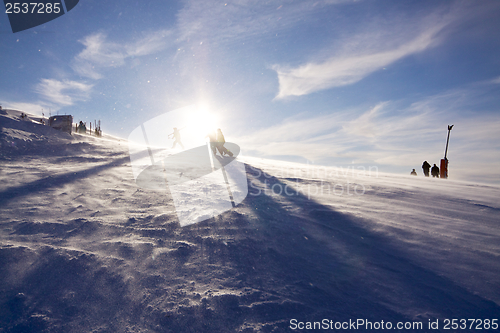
point(361, 55)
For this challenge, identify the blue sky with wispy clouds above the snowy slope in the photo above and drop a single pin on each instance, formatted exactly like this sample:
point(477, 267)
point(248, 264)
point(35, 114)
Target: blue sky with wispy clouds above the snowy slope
point(332, 82)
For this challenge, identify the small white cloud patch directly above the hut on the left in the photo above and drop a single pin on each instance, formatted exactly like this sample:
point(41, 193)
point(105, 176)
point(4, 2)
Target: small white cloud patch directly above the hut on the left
point(63, 93)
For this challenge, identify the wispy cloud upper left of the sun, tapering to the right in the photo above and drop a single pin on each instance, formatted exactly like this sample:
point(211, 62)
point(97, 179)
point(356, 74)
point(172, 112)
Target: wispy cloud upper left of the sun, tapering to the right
point(100, 53)
